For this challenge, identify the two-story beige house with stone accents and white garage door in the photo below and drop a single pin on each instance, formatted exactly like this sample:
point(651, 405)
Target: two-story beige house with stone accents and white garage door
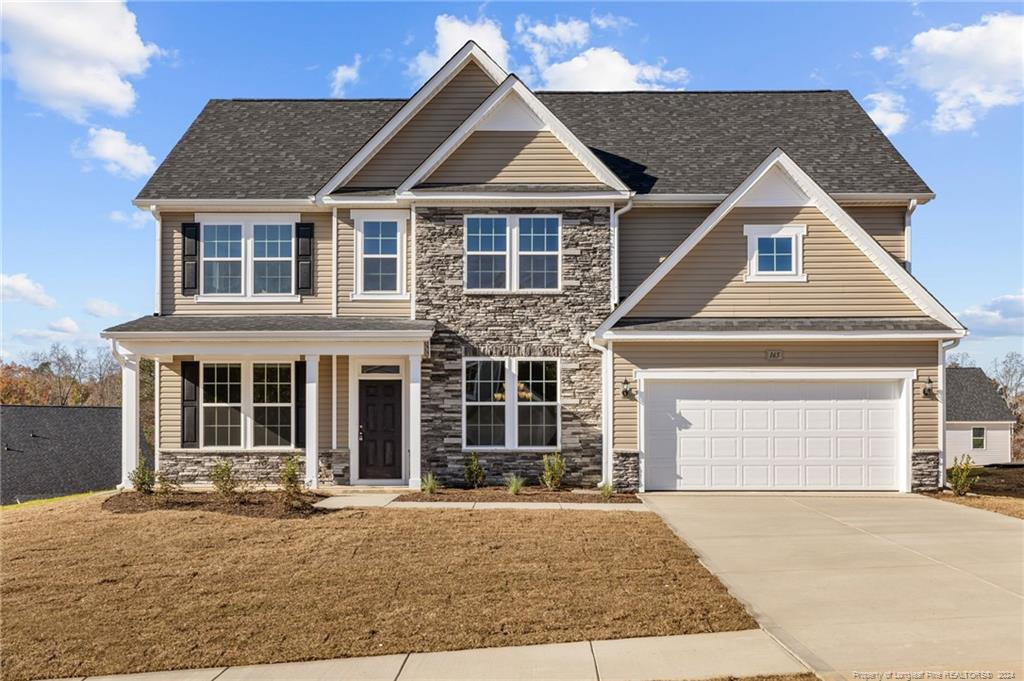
point(676, 290)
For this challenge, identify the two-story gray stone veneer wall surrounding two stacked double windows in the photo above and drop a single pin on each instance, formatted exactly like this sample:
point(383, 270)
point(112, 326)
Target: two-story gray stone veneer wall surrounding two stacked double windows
point(514, 325)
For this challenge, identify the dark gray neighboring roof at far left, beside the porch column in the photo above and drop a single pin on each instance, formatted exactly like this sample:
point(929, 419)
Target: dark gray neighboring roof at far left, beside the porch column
point(55, 451)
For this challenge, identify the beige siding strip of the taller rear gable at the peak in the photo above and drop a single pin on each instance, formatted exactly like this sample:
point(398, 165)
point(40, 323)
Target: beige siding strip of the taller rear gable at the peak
point(429, 129)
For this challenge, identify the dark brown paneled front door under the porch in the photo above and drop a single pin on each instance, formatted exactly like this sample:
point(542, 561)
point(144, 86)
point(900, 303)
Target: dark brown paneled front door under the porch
point(380, 430)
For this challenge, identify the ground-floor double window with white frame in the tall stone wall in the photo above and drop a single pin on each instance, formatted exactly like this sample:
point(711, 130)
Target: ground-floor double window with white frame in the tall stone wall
point(511, 404)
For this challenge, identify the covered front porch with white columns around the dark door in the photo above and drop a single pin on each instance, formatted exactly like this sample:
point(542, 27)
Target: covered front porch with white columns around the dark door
point(347, 402)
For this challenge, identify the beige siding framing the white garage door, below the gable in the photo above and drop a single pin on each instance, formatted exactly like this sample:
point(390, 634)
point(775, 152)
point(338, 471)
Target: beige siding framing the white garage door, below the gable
point(922, 356)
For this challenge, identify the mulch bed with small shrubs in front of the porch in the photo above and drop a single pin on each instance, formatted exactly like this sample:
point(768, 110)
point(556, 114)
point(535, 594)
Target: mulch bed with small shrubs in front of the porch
point(250, 504)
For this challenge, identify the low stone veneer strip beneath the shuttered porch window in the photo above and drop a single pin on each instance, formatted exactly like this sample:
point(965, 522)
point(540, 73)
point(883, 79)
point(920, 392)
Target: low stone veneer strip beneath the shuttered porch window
point(195, 466)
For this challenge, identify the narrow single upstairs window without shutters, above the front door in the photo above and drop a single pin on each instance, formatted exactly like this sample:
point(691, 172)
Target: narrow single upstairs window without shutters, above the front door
point(380, 254)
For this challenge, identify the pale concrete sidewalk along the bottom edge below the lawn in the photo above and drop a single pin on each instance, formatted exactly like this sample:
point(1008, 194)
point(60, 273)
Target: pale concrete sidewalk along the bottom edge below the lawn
point(743, 654)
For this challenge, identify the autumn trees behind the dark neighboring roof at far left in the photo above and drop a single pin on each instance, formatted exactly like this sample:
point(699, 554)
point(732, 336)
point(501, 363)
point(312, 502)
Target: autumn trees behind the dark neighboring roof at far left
point(65, 376)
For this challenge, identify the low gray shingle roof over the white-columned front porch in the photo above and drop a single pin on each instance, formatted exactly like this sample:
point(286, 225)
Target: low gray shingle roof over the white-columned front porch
point(267, 323)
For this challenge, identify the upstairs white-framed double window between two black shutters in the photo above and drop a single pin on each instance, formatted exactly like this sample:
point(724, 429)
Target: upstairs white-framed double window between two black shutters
point(247, 258)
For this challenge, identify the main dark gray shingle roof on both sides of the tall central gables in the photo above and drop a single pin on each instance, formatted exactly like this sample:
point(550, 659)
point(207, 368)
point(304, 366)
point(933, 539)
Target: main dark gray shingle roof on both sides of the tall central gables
point(658, 143)
